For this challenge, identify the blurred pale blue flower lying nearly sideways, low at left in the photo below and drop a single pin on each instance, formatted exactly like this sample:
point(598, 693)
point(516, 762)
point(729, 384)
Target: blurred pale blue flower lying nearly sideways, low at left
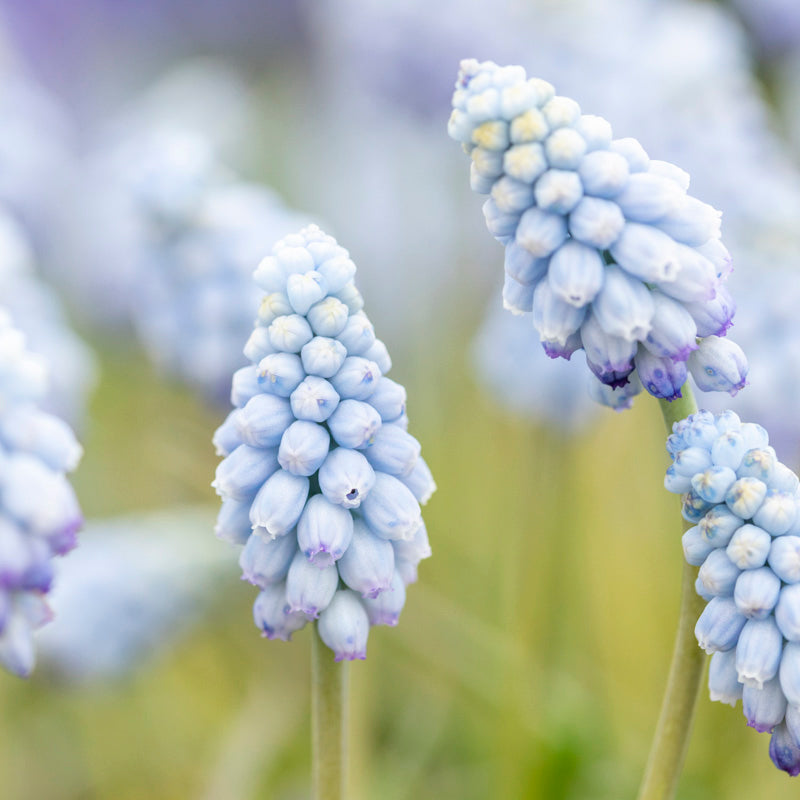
point(132, 588)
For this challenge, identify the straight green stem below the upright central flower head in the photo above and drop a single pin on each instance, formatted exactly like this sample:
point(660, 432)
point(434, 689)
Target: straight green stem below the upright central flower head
point(328, 722)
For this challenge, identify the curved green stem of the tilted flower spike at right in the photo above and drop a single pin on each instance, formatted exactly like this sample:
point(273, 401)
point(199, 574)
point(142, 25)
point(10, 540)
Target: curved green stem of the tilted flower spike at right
point(671, 739)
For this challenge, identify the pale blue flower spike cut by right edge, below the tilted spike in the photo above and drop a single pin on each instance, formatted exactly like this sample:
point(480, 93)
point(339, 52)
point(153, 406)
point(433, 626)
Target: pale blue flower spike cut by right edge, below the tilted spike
point(745, 506)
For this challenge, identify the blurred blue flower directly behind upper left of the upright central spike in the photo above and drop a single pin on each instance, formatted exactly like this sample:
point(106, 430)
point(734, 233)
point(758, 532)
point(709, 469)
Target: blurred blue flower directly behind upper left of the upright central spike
point(196, 296)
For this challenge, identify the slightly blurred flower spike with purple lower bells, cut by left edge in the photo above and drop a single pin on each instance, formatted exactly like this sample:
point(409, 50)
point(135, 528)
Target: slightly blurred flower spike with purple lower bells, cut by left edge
point(39, 513)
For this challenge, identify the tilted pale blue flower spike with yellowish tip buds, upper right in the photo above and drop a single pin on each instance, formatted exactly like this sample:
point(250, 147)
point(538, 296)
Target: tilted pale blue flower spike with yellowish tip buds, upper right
point(603, 244)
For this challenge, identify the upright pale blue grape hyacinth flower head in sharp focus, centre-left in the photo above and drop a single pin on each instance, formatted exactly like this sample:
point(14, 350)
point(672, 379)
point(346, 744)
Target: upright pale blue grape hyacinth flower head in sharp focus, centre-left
point(321, 482)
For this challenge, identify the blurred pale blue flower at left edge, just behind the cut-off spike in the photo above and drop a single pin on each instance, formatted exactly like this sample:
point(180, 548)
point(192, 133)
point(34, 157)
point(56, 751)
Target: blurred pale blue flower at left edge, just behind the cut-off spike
point(37, 312)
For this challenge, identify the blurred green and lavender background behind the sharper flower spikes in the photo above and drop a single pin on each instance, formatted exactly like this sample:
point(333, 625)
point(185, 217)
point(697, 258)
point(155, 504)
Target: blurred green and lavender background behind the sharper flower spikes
point(150, 153)
